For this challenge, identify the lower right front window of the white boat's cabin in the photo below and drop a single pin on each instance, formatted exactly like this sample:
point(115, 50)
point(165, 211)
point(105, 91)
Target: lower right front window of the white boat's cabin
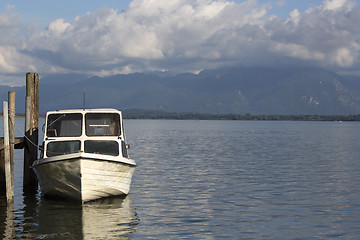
point(102, 147)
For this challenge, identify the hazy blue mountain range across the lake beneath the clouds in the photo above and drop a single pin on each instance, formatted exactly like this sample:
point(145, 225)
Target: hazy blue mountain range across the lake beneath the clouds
point(227, 90)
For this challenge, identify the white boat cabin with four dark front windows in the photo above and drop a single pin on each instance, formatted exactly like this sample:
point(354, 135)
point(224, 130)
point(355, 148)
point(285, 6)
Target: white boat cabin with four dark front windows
point(96, 131)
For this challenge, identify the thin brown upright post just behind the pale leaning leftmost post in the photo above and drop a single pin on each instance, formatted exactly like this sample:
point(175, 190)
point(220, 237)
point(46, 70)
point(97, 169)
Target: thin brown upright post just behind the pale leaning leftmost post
point(11, 98)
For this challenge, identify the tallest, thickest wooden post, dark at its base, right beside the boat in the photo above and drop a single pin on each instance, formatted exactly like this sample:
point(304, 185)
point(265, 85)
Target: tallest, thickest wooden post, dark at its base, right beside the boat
point(31, 132)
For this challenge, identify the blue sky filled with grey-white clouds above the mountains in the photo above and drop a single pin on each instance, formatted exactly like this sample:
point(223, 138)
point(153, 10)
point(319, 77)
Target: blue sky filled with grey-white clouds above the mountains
point(108, 37)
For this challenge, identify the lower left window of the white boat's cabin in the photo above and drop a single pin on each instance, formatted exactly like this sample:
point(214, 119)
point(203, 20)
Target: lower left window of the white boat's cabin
point(62, 147)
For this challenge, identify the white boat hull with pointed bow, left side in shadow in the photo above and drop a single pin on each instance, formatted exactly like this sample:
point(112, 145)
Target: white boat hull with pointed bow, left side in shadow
point(83, 178)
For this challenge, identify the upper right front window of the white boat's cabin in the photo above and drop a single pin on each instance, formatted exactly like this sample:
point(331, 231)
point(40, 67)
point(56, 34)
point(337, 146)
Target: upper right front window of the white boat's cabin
point(102, 124)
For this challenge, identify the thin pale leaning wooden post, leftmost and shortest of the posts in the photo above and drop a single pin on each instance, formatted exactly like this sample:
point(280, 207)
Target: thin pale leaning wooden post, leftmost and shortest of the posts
point(8, 177)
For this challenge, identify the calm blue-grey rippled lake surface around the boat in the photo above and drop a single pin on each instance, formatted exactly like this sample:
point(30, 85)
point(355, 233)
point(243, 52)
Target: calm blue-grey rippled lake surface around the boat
point(214, 180)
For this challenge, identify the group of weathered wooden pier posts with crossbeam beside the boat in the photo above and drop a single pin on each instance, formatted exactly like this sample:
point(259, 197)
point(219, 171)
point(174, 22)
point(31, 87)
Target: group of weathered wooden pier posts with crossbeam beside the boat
point(29, 142)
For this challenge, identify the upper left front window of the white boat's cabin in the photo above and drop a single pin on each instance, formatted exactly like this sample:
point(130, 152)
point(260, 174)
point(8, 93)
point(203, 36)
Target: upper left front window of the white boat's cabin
point(64, 125)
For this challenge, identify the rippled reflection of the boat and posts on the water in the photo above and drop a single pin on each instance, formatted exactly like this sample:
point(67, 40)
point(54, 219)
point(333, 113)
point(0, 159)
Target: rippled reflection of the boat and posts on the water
point(108, 218)
